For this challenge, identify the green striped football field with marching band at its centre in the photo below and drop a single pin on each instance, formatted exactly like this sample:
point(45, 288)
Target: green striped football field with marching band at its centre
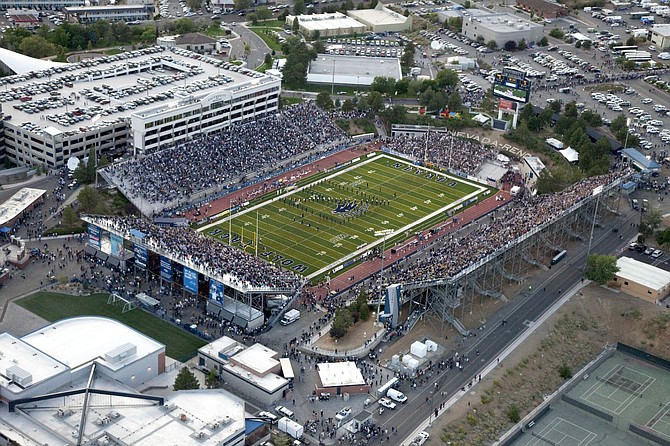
point(319, 225)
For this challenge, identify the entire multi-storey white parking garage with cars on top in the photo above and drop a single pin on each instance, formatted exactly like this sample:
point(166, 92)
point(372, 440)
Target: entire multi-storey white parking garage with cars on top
point(138, 101)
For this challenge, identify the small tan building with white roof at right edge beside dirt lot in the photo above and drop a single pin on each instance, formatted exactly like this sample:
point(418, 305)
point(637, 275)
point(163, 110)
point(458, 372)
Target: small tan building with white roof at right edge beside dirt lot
point(642, 280)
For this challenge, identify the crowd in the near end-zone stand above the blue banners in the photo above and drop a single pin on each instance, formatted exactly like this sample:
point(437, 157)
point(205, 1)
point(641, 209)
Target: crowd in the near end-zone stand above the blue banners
point(216, 259)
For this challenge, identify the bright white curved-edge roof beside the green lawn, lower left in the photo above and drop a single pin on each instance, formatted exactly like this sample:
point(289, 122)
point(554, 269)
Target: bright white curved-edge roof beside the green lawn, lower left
point(106, 341)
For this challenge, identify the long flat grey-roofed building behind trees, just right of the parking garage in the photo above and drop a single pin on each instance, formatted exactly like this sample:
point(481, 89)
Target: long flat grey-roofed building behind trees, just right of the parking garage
point(352, 70)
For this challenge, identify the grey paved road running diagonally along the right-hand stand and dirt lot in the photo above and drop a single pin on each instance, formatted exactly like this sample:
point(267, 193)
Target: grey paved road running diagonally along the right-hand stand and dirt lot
point(519, 315)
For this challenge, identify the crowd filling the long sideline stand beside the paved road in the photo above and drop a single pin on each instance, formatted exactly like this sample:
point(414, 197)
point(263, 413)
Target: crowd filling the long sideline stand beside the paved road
point(509, 223)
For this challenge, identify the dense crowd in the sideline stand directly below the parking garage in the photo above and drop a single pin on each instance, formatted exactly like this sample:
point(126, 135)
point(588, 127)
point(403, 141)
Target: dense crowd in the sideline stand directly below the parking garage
point(219, 160)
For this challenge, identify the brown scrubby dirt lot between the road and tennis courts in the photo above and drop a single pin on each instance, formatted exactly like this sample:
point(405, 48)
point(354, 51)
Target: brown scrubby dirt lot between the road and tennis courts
point(571, 337)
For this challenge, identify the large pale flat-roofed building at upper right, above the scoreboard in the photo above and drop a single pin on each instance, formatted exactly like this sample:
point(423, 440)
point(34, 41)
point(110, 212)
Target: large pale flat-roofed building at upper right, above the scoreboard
point(500, 27)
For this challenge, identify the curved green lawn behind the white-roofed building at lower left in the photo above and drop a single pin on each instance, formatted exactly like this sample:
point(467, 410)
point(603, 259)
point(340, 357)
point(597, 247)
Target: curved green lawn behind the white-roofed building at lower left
point(179, 344)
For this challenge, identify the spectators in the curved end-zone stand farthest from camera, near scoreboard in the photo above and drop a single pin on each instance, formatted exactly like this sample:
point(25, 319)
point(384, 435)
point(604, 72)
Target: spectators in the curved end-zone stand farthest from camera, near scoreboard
point(458, 154)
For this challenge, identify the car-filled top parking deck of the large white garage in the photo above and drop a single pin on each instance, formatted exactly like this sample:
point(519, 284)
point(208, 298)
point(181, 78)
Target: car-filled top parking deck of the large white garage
point(99, 92)
